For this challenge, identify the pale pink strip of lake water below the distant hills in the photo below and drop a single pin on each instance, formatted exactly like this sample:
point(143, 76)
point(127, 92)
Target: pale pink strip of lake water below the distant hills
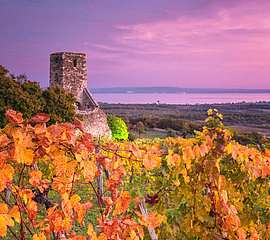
point(180, 98)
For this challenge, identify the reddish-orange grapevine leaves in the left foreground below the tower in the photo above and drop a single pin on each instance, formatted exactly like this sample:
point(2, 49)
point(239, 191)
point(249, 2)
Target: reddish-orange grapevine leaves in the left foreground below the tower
point(42, 172)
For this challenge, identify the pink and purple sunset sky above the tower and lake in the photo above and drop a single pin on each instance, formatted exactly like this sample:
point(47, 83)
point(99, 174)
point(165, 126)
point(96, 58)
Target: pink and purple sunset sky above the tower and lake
point(219, 44)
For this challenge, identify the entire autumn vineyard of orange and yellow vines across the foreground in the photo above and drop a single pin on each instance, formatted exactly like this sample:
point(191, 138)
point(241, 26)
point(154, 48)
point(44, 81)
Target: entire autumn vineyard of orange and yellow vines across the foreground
point(57, 182)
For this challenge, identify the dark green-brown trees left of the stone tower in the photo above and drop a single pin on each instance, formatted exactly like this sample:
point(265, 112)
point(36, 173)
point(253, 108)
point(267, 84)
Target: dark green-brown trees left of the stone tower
point(28, 97)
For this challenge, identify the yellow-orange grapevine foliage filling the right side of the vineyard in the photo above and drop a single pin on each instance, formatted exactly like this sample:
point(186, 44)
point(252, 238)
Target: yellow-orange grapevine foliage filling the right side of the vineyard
point(209, 186)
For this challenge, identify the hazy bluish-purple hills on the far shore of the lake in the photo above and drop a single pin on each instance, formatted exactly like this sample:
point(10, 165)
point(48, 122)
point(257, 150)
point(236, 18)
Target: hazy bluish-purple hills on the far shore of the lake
point(175, 90)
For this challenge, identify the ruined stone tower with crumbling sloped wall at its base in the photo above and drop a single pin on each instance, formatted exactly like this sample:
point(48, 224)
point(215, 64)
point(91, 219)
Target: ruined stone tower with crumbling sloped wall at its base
point(69, 71)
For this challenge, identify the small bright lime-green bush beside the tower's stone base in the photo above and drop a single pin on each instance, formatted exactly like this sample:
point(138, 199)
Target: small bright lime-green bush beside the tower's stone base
point(118, 127)
